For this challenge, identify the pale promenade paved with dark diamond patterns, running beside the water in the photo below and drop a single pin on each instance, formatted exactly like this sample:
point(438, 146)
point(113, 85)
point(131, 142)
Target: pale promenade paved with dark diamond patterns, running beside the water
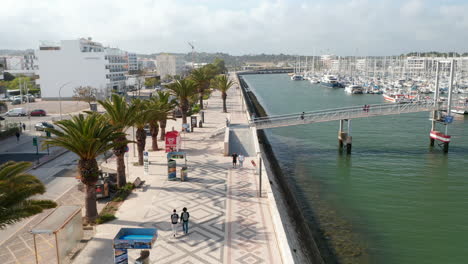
point(228, 222)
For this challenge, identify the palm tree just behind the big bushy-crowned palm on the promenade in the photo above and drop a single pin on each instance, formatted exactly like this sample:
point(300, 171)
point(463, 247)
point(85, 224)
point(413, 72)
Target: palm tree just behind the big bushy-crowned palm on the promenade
point(121, 116)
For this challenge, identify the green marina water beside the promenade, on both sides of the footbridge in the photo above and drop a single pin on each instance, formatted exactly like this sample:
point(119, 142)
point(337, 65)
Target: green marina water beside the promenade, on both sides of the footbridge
point(394, 200)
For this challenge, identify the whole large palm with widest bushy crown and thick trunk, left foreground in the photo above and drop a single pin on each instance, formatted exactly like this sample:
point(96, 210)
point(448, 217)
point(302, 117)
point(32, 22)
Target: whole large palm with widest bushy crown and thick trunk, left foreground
point(88, 137)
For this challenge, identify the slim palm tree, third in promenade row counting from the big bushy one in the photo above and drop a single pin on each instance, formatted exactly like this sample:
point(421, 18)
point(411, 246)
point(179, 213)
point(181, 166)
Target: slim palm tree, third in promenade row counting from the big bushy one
point(140, 121)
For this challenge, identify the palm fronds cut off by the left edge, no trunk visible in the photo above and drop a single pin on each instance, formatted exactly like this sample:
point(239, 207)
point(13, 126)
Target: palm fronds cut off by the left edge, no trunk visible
point(16, 188)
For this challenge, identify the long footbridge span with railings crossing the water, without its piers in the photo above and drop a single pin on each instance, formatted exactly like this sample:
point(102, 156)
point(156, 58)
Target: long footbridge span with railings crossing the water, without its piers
point(342, 113)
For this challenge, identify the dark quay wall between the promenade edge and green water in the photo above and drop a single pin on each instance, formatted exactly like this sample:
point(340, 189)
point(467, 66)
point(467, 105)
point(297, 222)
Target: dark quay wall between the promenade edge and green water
point(313, 244)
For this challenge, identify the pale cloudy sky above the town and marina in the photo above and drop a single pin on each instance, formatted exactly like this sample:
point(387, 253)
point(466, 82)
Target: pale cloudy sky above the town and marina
point(237, 27)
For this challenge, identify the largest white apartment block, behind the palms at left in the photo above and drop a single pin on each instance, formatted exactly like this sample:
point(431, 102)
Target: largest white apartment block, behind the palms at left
point(81, 62)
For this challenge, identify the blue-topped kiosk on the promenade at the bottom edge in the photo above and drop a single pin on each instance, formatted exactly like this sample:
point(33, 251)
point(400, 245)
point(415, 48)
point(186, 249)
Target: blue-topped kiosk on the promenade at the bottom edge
point(133, 238)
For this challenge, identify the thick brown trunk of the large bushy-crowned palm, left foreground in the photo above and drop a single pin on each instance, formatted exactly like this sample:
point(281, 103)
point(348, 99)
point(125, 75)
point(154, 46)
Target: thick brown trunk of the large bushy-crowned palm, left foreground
point(89, 171)
